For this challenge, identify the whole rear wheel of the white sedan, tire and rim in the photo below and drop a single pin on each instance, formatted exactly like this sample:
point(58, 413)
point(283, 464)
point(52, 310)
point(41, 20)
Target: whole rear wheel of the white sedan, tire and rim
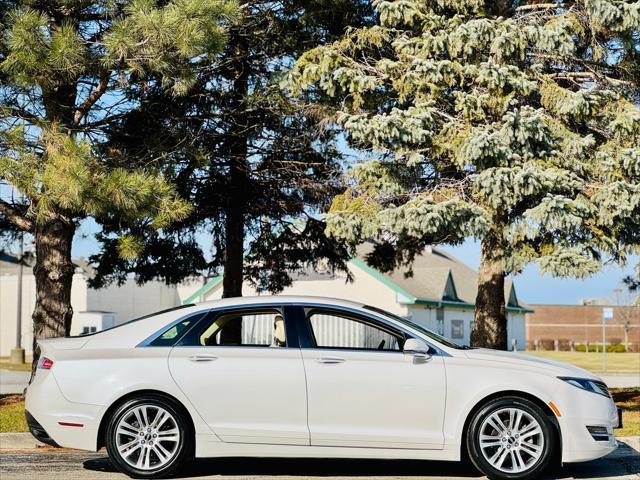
point(148, 437)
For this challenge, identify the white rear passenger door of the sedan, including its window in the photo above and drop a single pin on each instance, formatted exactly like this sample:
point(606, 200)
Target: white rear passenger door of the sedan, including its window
point(245, 377)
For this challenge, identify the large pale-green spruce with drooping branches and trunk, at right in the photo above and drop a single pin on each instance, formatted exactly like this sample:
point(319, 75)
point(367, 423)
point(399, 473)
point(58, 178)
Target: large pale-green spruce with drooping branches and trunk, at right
point(513, 122)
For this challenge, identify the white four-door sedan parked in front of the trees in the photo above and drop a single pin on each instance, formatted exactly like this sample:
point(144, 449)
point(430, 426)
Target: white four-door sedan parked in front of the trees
point(310, 377)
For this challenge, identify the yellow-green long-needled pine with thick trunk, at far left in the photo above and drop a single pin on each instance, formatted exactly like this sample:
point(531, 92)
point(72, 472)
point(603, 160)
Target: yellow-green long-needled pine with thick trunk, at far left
point(65, 66)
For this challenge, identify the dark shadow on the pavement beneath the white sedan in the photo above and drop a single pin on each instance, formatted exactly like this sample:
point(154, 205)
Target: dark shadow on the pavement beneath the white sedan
point(300, 467)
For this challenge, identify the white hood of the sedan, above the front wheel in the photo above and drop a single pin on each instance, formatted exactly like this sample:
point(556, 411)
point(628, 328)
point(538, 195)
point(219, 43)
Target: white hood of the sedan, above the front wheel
point(541, 365)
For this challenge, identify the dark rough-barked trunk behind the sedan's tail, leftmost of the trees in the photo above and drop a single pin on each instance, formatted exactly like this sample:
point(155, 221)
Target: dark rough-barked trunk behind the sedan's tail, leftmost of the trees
point(53, 274)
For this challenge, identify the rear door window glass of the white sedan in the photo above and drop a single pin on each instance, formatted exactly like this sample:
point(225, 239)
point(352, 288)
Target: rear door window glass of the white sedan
point(255, 328)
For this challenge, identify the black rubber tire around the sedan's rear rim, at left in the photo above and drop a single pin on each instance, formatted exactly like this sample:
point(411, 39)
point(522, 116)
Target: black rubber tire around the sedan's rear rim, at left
point(184, 447)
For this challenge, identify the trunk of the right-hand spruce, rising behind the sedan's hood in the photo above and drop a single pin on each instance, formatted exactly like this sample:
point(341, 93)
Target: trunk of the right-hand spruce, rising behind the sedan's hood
point(490, 321)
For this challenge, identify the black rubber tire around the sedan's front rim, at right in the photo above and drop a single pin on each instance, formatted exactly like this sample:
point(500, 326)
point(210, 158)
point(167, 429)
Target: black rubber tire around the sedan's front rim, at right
point(548, 434)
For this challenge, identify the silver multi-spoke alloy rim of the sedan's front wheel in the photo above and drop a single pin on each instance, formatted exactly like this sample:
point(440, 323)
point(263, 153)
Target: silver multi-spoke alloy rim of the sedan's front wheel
point(511, 440)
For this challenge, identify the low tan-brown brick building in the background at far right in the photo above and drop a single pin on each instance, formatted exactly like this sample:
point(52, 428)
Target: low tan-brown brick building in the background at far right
point(583, 323)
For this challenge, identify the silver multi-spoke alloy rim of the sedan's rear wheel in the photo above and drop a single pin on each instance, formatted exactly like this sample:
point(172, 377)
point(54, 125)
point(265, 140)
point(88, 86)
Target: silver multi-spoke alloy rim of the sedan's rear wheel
point(147, 437)
